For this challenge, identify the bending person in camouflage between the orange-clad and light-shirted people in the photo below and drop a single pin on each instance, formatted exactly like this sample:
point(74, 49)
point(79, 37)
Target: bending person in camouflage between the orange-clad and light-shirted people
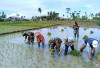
point(54, 44)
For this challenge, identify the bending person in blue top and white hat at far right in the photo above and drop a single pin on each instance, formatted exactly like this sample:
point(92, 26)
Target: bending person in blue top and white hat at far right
point(90, 43)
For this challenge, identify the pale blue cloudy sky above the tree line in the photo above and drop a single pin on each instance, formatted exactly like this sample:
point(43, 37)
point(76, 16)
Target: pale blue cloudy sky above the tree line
point(29, 8)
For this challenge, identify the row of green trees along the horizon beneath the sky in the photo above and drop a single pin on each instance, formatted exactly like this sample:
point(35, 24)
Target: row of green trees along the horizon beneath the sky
point(52, 15)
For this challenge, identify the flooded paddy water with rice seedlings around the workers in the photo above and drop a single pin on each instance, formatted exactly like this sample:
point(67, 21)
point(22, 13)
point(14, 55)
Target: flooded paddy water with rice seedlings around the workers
point(15, 53)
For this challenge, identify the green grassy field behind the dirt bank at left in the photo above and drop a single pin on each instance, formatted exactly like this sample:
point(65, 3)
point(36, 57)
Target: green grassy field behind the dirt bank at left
point(9, 26)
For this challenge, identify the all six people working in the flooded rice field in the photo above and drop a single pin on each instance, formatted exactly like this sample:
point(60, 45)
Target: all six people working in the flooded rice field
point(55, 43)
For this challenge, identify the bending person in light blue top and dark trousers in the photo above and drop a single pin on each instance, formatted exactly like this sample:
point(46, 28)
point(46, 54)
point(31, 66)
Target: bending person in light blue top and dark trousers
point(69, 41)
